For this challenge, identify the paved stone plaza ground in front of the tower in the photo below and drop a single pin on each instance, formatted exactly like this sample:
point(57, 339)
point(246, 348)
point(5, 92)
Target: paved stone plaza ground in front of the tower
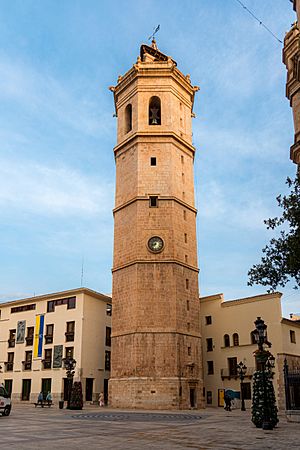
point(33, 428)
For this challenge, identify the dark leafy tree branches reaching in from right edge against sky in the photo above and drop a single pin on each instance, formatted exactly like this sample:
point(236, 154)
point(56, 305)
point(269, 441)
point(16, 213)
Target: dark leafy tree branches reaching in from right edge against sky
point(281, 258)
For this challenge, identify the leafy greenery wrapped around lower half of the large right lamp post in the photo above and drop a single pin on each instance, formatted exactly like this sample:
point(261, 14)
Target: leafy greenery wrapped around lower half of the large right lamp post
point(263, 403)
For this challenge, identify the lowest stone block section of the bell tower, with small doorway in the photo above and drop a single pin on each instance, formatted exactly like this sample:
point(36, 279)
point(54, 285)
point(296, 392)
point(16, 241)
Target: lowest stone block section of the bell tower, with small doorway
point(155, 393)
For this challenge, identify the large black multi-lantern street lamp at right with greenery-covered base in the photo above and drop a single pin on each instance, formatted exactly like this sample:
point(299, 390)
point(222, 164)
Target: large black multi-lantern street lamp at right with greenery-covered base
point(264, 414)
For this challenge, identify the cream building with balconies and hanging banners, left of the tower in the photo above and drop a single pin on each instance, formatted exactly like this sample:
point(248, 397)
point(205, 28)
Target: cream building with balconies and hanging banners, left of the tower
point(37, 333)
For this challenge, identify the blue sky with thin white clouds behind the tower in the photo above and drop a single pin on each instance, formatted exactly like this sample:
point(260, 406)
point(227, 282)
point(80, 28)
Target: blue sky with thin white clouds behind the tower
point(57, 133)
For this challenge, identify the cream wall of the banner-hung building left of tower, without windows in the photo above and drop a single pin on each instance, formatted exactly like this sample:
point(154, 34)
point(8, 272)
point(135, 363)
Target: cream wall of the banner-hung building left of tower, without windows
point(90, 320)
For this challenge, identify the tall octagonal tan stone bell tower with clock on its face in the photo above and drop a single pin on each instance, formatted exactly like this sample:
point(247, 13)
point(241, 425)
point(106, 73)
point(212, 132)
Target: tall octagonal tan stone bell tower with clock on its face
point(156, 342)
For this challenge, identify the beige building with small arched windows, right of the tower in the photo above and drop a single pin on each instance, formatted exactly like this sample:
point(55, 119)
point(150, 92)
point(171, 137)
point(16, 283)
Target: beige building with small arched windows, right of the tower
point(228, 339)
